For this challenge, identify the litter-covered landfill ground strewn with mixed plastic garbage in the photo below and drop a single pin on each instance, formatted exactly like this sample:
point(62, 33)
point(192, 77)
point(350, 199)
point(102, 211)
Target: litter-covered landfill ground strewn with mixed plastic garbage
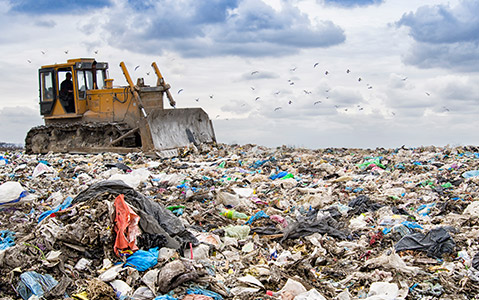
point(241, 222)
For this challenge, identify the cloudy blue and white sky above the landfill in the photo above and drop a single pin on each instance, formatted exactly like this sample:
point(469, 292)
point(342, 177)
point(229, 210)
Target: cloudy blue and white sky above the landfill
point(303, 73)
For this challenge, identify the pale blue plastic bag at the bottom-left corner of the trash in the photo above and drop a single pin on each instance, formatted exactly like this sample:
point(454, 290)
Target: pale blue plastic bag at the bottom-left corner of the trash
point(32, 283)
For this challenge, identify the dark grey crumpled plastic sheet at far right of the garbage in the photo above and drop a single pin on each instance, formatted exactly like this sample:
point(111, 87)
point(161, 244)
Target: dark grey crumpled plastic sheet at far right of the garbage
point(435, 243)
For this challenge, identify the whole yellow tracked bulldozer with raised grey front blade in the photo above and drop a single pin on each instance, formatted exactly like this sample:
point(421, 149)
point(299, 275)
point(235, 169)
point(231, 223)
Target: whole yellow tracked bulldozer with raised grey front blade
point(84, 112)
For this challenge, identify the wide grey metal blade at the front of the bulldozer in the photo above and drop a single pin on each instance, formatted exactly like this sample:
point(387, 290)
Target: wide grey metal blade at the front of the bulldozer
point(179, 127)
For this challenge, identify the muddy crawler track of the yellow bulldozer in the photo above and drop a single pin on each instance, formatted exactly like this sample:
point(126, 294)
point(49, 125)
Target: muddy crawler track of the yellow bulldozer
point(69, 137)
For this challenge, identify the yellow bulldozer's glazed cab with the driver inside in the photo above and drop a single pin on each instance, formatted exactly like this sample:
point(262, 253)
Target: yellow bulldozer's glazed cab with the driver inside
point(60, 95)
